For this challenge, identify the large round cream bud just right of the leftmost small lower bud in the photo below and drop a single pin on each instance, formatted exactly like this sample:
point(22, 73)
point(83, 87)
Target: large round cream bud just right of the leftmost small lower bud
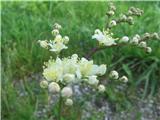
point(54, 87)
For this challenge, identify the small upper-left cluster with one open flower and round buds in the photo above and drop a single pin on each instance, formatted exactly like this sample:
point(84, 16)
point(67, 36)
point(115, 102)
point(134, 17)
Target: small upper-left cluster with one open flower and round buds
point(59, 42)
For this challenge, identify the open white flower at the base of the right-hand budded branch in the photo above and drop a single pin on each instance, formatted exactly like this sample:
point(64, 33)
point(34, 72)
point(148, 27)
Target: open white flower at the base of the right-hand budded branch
point(104, 38)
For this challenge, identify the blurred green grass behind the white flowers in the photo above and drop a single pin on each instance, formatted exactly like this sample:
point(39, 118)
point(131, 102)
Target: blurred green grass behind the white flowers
point(23, 23)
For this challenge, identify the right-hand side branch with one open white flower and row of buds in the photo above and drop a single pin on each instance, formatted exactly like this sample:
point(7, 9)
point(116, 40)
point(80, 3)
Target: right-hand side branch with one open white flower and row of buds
point(105, 38)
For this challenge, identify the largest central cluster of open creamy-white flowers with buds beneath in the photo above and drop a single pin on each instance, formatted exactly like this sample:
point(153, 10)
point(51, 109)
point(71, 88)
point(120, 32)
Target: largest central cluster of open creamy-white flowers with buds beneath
point(60, 74)
